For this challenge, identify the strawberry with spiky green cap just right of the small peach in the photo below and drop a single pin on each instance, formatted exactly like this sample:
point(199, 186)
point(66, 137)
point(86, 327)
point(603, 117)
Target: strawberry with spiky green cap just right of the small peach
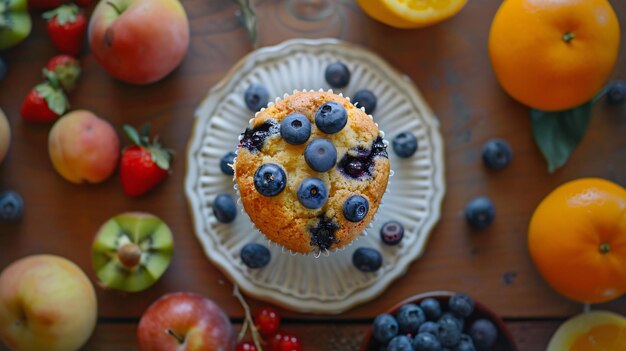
point(144, 164)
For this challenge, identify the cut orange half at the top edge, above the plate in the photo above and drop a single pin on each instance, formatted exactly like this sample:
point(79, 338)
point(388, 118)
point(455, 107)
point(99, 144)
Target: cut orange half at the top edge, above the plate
point(411, 13)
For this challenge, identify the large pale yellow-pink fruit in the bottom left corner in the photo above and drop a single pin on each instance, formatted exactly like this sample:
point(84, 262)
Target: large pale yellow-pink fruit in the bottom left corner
point(46, 303)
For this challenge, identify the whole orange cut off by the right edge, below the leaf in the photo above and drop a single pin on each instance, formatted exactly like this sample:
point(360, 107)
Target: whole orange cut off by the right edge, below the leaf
point(577, 239)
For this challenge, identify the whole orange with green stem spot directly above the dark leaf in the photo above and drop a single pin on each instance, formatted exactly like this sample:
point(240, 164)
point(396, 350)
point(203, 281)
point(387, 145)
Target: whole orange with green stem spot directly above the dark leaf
point(554, 55)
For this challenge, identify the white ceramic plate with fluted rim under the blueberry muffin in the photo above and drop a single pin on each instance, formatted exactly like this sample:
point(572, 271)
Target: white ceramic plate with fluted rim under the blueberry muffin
point(328, 284)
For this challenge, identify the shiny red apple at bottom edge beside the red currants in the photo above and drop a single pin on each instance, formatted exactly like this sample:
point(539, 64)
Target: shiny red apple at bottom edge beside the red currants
point(185, 322)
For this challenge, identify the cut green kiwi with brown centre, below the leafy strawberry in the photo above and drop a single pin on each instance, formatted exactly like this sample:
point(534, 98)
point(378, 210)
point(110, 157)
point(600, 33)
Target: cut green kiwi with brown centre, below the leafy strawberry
point(131, 251)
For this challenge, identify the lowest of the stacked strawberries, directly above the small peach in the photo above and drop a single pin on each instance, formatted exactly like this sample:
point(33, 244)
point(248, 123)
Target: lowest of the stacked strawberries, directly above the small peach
point(45, 103)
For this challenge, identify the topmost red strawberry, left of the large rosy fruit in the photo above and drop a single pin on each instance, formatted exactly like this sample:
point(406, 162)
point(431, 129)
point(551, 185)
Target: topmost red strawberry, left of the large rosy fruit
point(67, 27)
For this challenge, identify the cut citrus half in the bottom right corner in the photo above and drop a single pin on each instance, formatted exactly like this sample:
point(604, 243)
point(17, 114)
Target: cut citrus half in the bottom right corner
point(592, 331)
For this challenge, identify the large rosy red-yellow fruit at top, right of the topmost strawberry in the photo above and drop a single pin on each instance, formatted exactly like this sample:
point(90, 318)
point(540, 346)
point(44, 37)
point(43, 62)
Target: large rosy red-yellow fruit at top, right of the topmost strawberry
point(139, 41)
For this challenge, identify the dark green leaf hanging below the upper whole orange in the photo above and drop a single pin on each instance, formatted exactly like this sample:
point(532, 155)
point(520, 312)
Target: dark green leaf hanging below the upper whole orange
point(558, 132)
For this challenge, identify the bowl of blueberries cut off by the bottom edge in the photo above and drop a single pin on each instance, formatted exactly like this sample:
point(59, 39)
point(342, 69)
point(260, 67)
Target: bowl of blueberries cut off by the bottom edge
point(438, 321)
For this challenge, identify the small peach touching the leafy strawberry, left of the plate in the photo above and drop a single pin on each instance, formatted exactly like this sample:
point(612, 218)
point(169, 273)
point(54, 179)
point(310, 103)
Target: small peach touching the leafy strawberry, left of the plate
point(83, 147)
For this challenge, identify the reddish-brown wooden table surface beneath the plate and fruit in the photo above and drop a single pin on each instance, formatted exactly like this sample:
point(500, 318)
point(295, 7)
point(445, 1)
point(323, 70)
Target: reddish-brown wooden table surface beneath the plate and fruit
point(448, 62)
